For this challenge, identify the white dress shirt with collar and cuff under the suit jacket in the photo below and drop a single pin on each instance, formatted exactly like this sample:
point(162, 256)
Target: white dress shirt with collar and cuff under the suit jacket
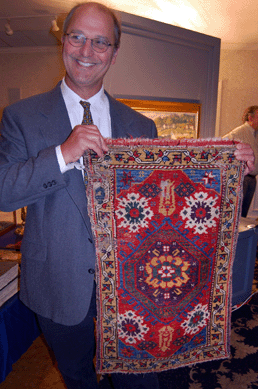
point(99, 108)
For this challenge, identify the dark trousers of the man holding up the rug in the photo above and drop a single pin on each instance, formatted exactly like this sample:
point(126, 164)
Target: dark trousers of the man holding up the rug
point(74, 349)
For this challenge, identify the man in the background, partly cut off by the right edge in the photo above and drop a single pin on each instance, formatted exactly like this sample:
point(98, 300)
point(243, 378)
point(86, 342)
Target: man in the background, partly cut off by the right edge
point(248, 133)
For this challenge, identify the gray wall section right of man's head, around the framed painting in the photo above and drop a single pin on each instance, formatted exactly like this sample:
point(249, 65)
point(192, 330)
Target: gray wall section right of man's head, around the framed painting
point(162, 62)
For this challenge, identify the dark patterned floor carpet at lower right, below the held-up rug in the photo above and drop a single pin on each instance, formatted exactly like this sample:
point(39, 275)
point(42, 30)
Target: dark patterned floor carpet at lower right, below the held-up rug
point(240, 371)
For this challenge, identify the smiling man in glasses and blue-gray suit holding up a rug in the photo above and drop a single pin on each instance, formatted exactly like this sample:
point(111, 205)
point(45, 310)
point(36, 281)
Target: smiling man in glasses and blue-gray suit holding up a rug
point(42, 141)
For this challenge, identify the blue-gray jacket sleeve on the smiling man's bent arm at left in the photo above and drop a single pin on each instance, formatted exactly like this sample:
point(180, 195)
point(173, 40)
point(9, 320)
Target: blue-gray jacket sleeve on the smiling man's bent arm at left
point(29, 168)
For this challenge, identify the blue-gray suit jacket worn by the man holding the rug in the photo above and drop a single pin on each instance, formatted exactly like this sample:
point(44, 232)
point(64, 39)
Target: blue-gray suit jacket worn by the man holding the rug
point(58, 255)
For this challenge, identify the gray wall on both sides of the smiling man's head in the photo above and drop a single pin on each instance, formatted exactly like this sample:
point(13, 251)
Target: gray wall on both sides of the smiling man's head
point(156, 61)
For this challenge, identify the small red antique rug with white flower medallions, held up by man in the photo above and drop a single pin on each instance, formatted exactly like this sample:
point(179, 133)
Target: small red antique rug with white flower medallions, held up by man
point(165, 219)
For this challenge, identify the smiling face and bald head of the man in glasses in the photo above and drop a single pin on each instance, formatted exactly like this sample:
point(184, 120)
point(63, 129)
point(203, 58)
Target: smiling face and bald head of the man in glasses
point(85, 68)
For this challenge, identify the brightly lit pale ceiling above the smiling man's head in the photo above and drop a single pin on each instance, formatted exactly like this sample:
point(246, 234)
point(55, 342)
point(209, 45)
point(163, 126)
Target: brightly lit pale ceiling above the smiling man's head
point(234, 21)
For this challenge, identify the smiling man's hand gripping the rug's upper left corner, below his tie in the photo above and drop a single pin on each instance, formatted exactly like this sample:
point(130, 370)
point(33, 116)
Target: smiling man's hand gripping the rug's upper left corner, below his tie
point(82, 138)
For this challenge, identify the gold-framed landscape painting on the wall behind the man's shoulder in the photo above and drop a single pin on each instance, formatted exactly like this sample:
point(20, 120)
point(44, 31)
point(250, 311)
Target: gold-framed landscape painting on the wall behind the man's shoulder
point(174, 120)
